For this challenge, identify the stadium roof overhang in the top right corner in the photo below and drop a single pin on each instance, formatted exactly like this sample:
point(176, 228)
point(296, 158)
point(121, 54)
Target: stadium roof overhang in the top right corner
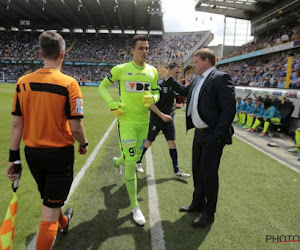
point(254, 10)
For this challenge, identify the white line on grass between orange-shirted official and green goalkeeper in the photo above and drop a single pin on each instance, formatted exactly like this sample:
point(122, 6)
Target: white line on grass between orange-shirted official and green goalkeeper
point(31, 245)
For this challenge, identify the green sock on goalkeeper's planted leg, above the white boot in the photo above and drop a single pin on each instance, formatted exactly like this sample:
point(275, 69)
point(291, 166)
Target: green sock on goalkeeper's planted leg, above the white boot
point(131, 183)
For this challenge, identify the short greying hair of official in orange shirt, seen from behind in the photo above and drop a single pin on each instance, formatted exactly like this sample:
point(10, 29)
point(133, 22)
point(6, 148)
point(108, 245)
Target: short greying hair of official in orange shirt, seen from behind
point(51, 44)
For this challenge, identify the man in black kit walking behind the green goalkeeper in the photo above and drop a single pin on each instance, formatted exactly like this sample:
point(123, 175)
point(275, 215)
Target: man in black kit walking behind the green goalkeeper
point(162, 119)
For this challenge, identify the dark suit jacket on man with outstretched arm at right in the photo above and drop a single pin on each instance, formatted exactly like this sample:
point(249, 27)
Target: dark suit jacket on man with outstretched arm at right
point(216, 103)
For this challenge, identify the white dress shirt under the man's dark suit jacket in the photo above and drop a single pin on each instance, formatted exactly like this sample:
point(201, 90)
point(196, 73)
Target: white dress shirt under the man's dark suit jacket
point(197, 121)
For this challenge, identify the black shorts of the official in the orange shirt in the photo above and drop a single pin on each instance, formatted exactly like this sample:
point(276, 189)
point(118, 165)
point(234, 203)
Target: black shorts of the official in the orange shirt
point(52, 169)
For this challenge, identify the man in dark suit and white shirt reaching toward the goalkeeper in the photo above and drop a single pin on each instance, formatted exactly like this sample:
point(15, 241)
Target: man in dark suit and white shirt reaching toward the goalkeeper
point(210, 109)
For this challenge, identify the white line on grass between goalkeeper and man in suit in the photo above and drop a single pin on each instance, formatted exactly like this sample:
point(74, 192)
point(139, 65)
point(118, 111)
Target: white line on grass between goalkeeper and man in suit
point(156, 230)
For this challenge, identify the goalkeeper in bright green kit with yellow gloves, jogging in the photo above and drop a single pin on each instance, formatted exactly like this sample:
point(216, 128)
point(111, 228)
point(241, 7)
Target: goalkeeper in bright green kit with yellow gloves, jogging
point(138, 90)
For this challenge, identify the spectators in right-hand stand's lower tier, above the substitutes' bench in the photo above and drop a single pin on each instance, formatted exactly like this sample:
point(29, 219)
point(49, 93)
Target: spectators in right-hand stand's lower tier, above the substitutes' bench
point(269, 74)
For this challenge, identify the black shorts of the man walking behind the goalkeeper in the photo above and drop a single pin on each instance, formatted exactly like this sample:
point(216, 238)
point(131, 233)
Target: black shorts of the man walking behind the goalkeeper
point(156, 126)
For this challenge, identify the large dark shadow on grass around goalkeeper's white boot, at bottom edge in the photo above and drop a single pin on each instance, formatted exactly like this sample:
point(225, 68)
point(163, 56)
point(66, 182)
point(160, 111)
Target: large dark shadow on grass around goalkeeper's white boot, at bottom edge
point(105, 225)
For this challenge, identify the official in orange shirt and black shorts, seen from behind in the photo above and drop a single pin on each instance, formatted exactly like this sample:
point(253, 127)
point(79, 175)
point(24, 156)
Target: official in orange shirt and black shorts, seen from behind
point(47, 112)
